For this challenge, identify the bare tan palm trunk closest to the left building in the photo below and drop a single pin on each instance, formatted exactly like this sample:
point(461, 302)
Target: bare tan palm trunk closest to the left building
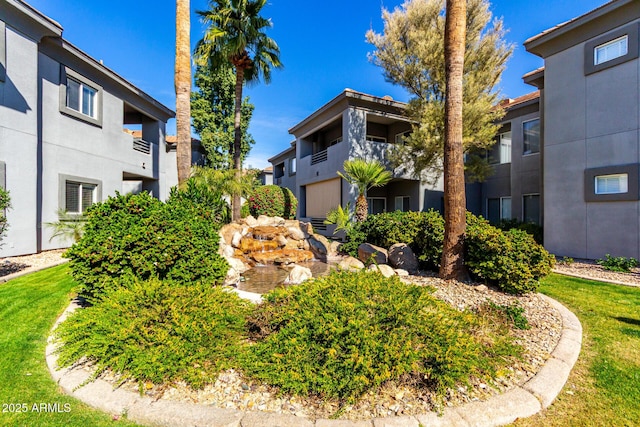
point(183, 90)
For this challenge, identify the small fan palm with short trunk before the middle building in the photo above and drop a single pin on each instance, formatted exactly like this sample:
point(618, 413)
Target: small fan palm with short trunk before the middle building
point(365, 175)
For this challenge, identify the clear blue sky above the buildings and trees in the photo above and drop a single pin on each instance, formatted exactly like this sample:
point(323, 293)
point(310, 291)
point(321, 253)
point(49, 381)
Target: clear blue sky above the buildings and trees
point(322, 45)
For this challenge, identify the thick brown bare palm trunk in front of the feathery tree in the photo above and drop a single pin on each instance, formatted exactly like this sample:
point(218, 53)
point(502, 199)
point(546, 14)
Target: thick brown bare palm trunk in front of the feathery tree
point(452, 263)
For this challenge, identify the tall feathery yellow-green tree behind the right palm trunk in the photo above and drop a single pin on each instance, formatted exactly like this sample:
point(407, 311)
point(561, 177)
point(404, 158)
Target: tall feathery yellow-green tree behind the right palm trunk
point(411, 53)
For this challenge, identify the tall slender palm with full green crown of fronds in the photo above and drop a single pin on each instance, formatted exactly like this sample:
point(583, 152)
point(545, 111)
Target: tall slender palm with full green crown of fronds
point(236, 34)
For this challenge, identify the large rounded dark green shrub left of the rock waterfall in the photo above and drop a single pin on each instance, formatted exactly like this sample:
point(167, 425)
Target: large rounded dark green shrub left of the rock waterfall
point(139, 236)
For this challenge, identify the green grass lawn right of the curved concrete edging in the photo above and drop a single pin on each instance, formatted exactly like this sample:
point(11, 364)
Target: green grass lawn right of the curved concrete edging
point(603, 388)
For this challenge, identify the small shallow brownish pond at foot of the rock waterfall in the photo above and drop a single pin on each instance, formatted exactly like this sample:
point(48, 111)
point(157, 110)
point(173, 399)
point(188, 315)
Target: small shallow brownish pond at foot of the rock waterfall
point(264, 278)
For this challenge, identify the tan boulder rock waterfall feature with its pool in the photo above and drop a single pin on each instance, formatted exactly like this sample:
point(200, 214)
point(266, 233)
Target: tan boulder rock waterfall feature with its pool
point(270, 251)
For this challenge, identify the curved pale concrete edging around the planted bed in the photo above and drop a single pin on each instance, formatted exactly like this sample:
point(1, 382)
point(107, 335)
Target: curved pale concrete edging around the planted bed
point(524, 401)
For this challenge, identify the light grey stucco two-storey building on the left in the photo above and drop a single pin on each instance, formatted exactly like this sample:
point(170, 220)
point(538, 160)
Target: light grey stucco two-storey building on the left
point(62, 139)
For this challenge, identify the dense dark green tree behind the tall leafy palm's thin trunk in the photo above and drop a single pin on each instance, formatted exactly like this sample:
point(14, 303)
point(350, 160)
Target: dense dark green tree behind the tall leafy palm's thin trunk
point(212, 110)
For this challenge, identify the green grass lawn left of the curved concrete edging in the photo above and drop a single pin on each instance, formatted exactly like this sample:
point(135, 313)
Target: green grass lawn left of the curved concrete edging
point(29, 306)
